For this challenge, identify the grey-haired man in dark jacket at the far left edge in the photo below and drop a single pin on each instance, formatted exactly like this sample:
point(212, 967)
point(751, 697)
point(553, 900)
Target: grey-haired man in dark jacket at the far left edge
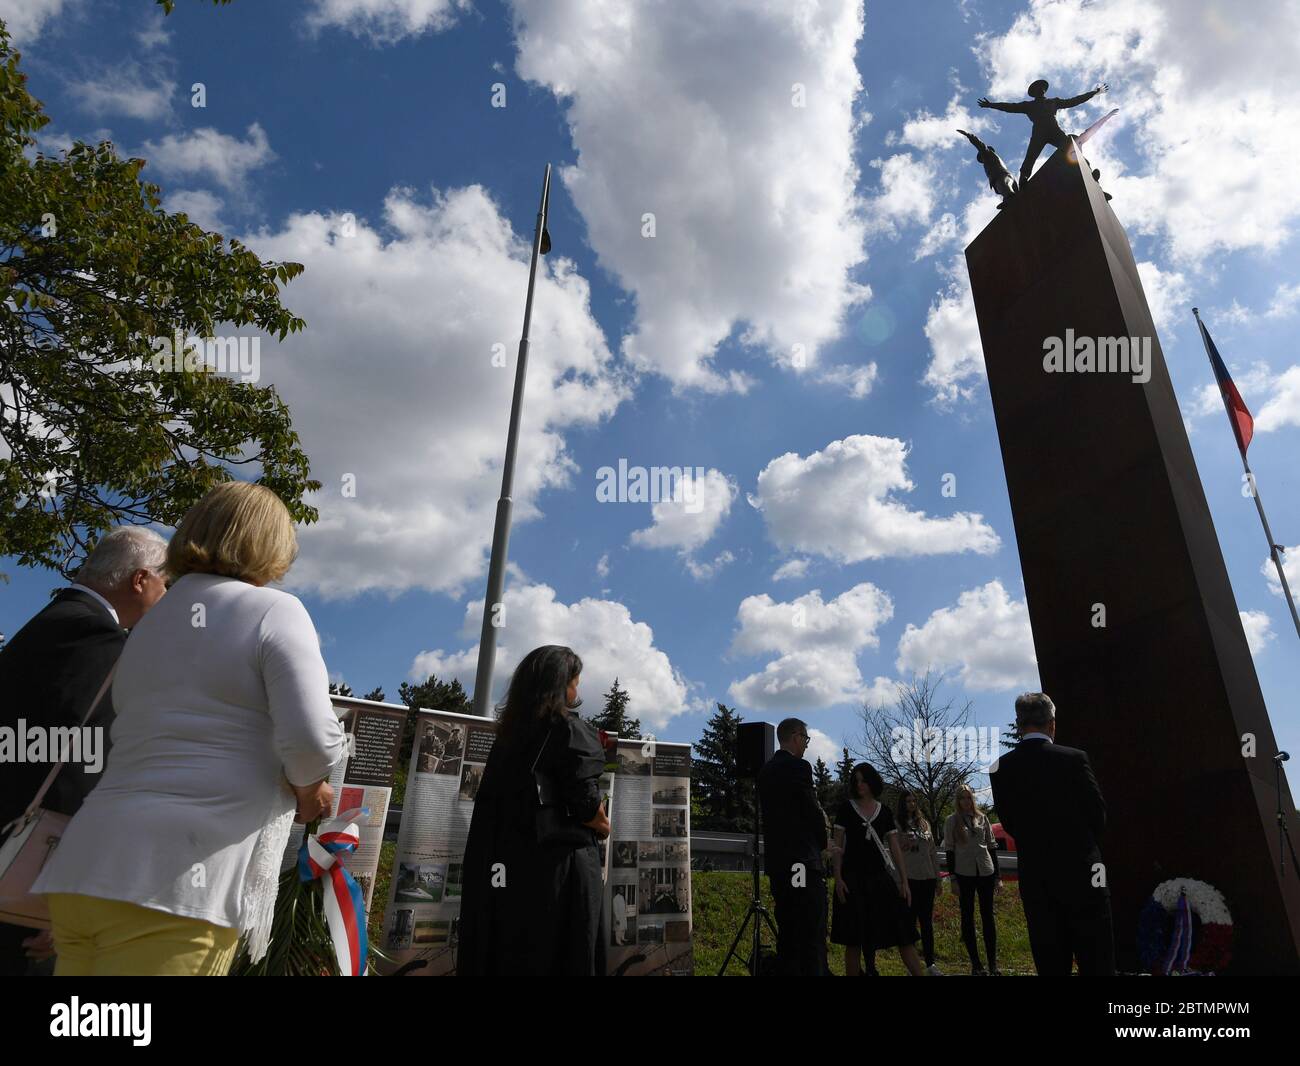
point(50, 674)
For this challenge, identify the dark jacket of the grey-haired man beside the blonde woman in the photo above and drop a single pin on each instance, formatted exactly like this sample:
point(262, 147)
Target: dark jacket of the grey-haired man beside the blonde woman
point(49, 674)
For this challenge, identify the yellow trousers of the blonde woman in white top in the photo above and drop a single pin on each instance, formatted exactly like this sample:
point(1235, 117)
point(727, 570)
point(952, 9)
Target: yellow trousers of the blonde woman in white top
point(107, 938)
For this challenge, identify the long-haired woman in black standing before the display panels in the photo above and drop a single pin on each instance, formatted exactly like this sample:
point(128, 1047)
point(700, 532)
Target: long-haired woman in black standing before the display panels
point(532, 902)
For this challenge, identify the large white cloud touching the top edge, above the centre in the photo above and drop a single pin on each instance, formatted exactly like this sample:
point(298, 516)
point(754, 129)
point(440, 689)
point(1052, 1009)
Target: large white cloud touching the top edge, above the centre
point(692, 114)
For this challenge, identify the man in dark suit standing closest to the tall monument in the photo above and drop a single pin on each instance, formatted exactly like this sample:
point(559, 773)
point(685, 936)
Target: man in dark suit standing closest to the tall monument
point(1050, 803)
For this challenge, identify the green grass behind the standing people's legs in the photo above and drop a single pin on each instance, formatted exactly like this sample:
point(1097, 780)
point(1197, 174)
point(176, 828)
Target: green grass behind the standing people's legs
point(721, 900)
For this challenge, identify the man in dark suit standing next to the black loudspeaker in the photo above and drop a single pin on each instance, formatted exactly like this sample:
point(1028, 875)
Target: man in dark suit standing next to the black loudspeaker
point(794, 842)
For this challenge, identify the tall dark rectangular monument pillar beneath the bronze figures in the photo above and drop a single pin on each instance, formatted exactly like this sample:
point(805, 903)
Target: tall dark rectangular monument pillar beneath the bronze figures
point(1137, 630)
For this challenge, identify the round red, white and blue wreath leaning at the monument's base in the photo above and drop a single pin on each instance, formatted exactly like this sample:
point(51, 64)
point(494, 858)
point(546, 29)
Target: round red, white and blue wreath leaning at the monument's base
point(1207, 921)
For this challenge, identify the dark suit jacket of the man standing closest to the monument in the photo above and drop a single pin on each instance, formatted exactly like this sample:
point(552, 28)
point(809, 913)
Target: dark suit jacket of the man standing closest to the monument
point(1048, 800)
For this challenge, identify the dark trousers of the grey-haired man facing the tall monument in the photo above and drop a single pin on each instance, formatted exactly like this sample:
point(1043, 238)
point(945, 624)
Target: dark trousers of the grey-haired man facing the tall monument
point(1065, 931)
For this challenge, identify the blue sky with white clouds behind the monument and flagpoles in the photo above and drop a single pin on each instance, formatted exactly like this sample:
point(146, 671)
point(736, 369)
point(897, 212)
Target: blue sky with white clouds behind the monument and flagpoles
point(361, 140)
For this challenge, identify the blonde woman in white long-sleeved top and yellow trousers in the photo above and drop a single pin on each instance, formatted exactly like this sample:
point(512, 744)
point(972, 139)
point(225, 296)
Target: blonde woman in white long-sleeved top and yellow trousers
point(224, 731)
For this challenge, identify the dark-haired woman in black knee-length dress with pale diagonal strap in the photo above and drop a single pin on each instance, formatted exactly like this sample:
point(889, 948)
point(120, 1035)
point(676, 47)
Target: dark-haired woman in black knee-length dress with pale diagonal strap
point(873, 905)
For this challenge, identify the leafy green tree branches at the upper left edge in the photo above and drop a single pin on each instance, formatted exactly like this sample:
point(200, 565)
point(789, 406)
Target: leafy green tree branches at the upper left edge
point(96, 281)
